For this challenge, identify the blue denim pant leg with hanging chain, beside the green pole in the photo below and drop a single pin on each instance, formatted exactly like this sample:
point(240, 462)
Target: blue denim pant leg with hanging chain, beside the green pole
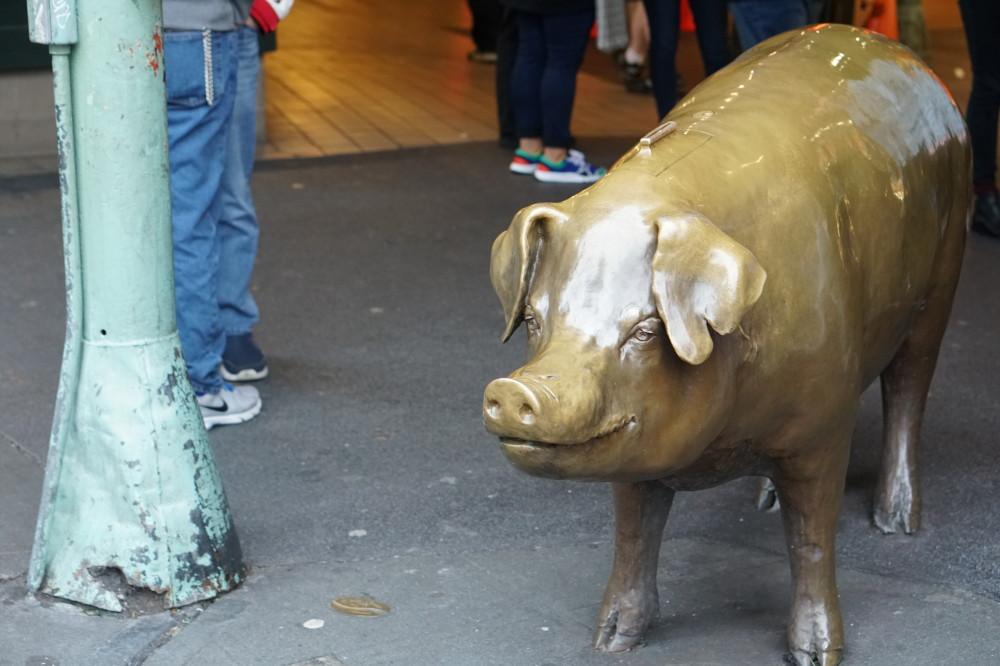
point(201, 78)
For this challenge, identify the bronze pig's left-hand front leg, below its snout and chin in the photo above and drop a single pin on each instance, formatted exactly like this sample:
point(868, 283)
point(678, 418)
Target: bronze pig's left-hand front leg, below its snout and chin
point(630, 600)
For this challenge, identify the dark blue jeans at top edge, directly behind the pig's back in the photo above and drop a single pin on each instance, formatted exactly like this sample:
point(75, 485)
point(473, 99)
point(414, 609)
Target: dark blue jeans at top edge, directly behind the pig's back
point(664, 25)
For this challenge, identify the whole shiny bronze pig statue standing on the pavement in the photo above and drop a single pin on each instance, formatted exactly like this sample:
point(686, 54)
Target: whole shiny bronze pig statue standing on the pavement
point(714, 307)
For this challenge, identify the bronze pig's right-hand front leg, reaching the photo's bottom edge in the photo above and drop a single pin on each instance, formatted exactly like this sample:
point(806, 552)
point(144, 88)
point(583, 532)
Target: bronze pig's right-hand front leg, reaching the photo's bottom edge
point(810, 488)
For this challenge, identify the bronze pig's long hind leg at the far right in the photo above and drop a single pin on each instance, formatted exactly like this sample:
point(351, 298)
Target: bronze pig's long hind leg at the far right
point(905, 383)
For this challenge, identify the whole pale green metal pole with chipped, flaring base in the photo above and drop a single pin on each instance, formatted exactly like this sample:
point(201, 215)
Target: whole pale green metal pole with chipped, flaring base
point(131, 487)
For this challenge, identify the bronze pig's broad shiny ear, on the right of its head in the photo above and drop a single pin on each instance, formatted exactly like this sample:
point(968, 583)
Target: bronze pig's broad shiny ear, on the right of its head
point(701, 278)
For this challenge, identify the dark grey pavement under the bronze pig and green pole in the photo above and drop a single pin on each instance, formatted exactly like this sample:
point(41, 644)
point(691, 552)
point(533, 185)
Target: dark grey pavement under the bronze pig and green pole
point(369, 471)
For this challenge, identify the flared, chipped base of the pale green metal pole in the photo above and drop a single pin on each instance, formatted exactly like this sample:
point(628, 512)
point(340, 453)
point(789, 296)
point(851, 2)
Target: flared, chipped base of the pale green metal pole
point(135, 487)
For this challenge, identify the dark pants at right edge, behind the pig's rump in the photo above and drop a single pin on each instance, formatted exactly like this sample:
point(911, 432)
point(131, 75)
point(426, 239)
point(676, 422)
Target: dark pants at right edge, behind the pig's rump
point(982, 32)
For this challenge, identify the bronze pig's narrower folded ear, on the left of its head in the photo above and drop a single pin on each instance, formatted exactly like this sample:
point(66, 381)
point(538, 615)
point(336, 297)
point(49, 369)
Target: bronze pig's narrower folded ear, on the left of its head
point(512, 262)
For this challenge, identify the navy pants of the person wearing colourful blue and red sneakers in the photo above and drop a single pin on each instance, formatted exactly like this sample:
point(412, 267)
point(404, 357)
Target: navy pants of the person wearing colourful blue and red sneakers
point(549, 53)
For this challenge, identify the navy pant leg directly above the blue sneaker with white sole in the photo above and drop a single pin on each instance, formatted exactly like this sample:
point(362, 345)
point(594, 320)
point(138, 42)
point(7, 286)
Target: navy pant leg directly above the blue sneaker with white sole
point(566, 38)
